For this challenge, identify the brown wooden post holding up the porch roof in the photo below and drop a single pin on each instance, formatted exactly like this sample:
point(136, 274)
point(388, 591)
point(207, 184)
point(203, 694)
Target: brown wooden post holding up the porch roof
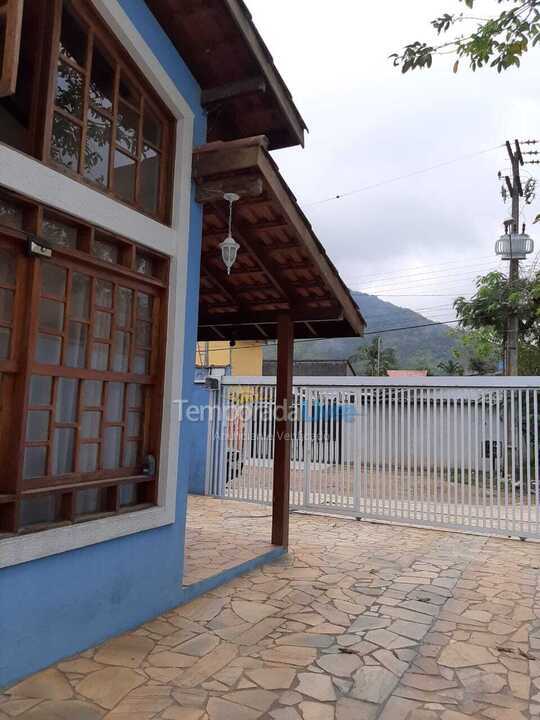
point(282, 433)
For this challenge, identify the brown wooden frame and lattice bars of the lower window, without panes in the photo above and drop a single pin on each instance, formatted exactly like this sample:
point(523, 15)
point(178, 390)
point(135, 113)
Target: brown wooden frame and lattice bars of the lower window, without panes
point(17, 370)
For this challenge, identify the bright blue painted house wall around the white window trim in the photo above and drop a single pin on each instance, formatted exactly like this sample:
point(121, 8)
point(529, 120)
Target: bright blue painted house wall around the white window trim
point(54, 607)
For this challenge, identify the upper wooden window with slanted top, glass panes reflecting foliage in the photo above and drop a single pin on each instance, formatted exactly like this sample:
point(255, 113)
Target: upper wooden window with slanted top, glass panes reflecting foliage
point(107, 126)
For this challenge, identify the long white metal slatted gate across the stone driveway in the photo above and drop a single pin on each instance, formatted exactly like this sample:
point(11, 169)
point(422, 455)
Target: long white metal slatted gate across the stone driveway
point(459, 453)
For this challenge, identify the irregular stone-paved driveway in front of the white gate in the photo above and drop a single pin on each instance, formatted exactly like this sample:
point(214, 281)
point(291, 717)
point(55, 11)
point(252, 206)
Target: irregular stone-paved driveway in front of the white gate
point(359, 622)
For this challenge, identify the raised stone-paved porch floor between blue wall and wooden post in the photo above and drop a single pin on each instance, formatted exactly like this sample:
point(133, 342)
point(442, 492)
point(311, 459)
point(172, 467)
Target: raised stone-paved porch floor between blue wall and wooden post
point(221, 535)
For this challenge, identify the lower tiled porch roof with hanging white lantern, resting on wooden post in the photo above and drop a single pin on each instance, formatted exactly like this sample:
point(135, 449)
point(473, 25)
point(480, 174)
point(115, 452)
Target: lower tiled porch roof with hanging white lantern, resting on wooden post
point(281, 265)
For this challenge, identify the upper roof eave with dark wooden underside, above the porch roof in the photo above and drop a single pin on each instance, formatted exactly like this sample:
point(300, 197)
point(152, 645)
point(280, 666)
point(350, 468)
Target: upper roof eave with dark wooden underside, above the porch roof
point(242, 90)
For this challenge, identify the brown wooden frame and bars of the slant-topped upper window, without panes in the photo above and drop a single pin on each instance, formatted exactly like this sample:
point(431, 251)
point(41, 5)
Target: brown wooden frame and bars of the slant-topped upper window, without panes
point(122, 66)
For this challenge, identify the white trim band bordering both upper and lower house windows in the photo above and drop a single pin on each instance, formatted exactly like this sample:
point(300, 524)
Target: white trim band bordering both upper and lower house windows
point(31, 178)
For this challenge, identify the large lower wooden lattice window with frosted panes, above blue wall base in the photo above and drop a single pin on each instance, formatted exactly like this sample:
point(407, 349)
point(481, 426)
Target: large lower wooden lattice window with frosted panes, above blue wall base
point(81, 372)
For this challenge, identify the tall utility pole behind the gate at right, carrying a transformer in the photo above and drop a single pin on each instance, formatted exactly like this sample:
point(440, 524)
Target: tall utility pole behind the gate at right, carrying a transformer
point(516, 192)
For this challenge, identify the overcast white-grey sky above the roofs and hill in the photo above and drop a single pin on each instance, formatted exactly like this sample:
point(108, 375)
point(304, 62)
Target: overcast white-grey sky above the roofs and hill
point(421, 241)
